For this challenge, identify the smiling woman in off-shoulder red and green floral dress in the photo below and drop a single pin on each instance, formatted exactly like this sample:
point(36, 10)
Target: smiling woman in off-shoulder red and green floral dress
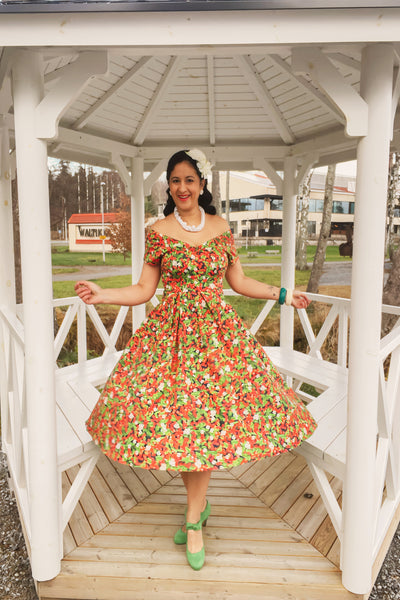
point(194, 391)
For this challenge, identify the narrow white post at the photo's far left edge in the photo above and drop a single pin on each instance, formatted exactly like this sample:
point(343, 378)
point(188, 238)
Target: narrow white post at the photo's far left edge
point(7, 267)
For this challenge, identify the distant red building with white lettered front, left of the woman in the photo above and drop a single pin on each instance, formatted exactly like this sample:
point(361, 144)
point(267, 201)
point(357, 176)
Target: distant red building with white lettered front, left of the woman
point(85, 231)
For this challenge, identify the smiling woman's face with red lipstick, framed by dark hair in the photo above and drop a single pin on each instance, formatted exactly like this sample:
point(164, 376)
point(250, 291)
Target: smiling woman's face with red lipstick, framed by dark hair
point(185, 186)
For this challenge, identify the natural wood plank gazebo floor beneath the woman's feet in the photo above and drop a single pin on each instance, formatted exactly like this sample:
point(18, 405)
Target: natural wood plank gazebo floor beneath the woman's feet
point(264, 538)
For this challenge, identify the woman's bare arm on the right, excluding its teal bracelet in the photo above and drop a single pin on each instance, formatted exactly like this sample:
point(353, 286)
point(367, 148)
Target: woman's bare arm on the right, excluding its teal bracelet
point(246, 286)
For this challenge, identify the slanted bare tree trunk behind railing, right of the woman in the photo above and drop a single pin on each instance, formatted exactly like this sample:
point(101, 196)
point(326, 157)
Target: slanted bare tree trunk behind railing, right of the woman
point(319, 258)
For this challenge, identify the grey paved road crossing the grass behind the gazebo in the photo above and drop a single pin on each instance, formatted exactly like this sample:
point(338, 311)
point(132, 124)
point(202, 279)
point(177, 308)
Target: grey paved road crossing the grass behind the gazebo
point(335, 273)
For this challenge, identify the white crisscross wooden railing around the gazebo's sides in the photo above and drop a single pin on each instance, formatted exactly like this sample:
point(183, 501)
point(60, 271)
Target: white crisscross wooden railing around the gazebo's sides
point(77, 314)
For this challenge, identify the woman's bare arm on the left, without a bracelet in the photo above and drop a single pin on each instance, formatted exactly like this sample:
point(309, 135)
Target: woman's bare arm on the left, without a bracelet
point(141, 292)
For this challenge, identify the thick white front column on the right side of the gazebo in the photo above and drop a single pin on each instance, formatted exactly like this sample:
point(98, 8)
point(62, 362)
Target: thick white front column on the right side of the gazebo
point(367, 282)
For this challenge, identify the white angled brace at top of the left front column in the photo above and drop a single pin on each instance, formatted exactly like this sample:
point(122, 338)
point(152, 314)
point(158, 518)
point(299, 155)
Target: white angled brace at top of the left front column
point(73, 80)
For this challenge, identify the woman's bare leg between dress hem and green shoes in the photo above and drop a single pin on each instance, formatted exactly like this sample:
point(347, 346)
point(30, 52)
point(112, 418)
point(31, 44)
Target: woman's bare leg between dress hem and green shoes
point(196, 483)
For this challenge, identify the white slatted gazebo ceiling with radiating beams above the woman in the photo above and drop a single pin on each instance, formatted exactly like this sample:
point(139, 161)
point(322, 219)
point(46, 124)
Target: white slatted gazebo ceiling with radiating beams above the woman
point(213, 99)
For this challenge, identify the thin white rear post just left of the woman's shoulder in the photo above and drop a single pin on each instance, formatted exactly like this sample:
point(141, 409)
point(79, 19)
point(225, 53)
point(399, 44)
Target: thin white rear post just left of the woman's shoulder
point(137, 215)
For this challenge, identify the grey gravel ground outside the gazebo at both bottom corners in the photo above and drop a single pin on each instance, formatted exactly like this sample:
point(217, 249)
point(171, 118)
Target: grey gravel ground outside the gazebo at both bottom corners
point(15, 574)
